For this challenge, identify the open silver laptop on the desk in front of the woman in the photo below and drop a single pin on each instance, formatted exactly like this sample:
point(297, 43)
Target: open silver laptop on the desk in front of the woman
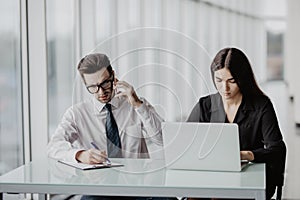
point(202, 146)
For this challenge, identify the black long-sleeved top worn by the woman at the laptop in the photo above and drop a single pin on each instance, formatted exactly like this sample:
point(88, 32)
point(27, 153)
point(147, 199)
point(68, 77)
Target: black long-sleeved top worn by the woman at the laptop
point(258, 126)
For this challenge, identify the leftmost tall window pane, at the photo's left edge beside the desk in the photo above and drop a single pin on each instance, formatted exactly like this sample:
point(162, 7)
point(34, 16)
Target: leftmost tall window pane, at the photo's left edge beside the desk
point(11, 133)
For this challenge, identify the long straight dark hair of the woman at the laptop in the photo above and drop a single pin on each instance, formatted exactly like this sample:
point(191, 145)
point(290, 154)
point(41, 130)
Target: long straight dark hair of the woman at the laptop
point(239, 66)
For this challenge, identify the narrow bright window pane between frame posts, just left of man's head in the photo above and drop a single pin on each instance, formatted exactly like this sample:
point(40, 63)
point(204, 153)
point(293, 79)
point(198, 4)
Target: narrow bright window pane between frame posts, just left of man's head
point(61, 65)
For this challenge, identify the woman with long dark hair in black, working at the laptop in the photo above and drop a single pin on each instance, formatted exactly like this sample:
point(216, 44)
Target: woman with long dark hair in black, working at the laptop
point(240, 100)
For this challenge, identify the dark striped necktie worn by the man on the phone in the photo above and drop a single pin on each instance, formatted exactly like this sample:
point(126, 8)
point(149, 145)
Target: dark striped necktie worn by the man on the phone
point(114, 149)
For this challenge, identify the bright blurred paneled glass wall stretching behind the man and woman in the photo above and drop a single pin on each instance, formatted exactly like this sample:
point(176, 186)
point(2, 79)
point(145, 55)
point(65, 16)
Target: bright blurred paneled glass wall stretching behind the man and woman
point(162, 48)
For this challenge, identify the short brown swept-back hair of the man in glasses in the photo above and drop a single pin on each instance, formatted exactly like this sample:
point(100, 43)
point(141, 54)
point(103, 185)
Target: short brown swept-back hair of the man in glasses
point(92, 63)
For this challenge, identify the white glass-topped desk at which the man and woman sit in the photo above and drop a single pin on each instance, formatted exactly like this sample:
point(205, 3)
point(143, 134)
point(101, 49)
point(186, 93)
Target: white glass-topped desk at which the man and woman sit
point(139, 177)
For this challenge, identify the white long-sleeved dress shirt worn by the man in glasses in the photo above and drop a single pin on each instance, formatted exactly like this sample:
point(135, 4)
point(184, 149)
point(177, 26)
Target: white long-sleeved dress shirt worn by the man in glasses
point(83, 123)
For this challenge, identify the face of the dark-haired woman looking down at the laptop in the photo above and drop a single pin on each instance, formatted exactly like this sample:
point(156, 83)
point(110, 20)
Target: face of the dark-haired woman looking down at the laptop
point(226, 85)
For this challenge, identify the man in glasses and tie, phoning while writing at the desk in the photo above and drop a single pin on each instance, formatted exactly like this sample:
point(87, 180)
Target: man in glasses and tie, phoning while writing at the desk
point(116, 121)
